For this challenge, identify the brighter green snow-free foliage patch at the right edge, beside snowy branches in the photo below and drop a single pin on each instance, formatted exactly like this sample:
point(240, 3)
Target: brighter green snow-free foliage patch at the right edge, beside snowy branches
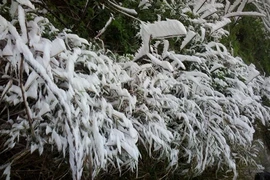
point(249, 40)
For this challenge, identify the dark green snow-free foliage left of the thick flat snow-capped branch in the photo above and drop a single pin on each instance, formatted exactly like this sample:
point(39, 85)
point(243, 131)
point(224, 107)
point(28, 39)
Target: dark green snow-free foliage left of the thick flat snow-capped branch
point(86, 20)
